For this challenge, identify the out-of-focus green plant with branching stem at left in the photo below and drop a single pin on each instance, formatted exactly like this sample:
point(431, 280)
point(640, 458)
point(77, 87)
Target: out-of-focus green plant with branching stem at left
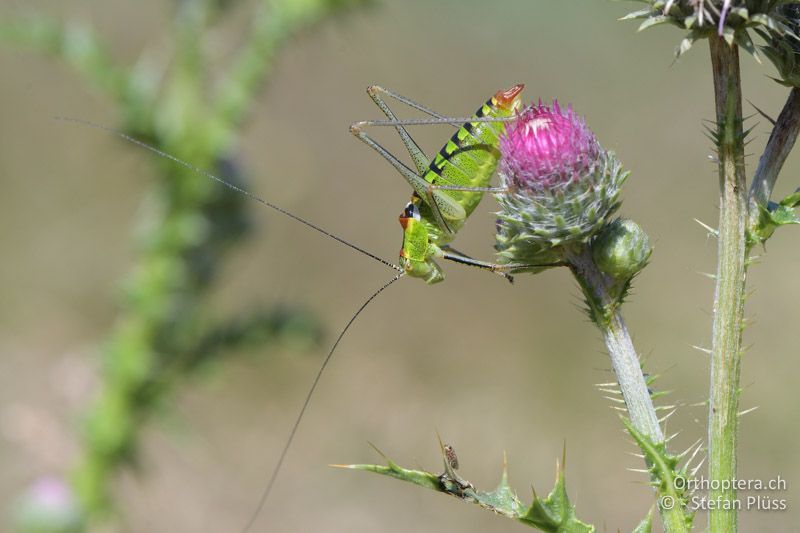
point(164, 332)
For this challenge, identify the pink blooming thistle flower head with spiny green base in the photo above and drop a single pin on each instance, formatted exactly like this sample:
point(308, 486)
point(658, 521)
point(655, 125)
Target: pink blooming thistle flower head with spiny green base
point(562, 186)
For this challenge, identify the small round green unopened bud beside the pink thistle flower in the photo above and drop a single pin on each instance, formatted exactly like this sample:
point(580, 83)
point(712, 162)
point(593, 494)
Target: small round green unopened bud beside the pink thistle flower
point(622, 249)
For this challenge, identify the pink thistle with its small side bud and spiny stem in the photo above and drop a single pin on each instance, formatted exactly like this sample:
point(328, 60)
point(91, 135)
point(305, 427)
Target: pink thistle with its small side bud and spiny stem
point(563, 190)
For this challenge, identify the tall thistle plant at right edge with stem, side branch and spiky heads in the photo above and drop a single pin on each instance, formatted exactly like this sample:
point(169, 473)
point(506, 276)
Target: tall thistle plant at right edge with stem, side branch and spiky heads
point(746, 218)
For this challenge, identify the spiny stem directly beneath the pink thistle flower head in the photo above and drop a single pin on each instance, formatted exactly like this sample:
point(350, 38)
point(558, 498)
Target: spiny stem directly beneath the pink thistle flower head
point(602, 296)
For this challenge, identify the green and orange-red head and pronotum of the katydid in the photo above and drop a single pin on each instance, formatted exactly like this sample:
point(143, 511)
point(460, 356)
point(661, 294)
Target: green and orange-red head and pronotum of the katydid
point(416, 255)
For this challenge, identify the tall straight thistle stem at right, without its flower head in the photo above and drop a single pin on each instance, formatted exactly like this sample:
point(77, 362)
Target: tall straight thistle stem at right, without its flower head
point(730, 285)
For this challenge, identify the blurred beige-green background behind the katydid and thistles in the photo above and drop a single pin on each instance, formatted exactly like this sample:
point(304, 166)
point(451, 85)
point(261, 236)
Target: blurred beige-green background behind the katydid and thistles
point(490, 366)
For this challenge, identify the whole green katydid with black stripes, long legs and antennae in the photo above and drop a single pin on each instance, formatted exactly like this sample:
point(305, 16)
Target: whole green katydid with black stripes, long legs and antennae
point(445, 192)
